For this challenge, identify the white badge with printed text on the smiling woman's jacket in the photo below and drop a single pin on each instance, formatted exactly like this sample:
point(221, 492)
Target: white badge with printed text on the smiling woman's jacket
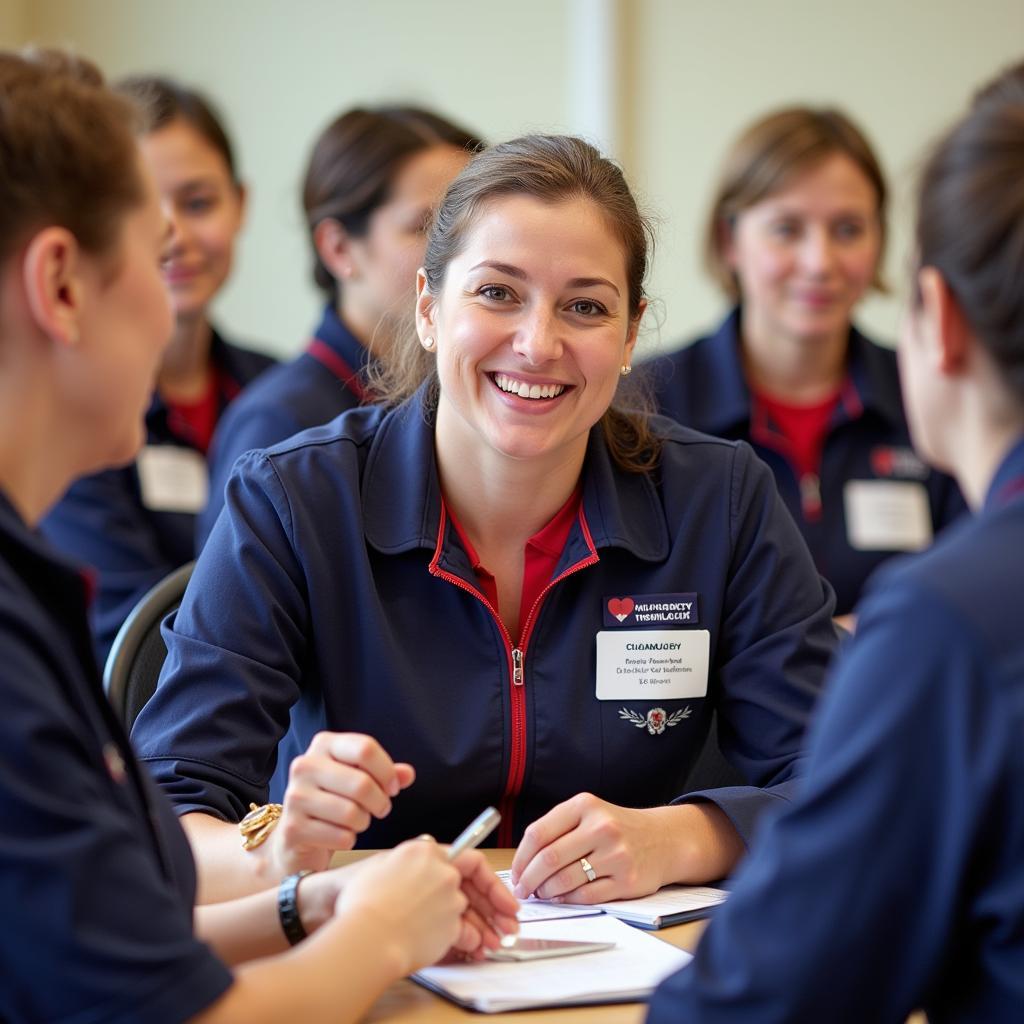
point(653, 665)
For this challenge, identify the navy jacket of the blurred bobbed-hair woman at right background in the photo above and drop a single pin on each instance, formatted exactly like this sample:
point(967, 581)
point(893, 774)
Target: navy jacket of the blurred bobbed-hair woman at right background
point(703, 387)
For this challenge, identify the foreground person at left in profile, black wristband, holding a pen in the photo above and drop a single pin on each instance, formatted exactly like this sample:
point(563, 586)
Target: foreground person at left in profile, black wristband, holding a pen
point(97, 878)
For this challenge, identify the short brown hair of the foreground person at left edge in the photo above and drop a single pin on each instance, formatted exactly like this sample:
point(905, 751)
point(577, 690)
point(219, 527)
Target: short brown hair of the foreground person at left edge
point(68, 154)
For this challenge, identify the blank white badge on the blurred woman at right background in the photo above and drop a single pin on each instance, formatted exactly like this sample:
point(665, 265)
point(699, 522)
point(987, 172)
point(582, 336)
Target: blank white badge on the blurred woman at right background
point(887, 516)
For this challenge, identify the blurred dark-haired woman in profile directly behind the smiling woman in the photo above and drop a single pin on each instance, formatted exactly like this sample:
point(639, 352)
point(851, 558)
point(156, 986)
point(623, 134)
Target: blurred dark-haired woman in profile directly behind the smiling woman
point(373, 182)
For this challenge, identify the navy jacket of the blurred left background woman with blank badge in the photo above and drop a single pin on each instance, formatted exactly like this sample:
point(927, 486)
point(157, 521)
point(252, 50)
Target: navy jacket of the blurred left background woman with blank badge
point(104, 523)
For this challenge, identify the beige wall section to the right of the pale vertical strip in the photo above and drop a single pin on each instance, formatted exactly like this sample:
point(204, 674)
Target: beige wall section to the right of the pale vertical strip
point(902, 68)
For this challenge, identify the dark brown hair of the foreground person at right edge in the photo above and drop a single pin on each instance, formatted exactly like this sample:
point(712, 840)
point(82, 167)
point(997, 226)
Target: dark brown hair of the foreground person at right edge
point(971, 221)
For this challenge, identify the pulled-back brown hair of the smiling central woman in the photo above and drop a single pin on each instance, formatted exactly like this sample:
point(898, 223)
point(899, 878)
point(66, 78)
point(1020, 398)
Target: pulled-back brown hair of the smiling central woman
point(552, 169)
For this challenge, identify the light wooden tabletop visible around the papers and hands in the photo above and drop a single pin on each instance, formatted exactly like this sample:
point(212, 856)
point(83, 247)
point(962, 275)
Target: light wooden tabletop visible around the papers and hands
point(406, 1003)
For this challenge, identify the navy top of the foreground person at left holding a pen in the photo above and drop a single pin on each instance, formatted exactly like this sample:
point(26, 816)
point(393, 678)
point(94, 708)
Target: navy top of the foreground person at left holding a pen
point(97, 878)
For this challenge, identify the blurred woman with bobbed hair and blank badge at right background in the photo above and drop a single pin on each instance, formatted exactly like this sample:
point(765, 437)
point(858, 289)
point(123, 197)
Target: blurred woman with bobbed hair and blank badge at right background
point(795, 240)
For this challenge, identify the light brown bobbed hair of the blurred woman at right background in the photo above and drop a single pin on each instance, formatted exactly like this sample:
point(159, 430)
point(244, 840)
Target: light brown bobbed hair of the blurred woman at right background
point(766, 158)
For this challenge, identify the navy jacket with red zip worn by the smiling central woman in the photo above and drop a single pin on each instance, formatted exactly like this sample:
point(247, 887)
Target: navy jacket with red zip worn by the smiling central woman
point(334, 593)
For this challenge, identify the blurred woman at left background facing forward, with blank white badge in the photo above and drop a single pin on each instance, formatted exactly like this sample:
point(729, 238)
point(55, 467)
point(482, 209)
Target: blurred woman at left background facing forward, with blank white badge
point(136, 525)
